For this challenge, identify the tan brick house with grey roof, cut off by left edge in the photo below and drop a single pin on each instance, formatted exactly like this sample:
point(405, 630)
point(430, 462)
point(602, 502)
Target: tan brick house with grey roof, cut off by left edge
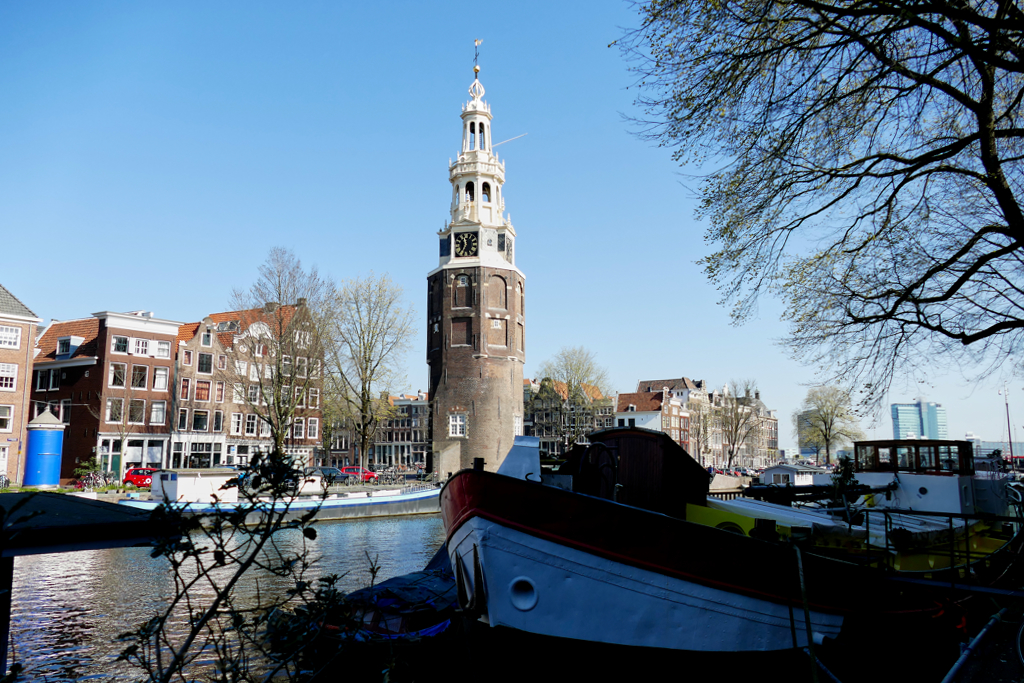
point(18, 333)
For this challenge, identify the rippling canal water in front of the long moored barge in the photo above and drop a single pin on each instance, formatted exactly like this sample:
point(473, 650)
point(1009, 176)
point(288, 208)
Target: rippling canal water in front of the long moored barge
point(69, 610)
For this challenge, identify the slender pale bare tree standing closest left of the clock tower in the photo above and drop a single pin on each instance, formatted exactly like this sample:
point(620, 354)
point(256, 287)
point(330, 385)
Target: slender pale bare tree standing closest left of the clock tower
point(367, 331)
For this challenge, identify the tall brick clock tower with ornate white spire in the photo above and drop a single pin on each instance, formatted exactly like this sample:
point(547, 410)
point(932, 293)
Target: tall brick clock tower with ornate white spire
point(476, 326)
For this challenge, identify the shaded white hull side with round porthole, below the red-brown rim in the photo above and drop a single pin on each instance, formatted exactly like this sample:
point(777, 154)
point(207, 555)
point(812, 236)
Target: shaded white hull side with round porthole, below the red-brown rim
point(540, 587)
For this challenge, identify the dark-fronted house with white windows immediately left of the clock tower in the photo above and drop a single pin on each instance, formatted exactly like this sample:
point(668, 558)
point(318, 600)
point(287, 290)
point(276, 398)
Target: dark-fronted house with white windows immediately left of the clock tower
point(404, 441)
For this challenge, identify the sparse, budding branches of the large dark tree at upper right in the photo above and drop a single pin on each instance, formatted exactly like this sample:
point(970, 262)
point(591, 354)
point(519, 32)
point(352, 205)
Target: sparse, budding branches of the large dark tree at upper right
point(866, 167)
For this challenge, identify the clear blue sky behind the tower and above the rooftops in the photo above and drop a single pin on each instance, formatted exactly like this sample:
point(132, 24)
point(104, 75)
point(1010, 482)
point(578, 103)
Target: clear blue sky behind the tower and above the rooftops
point(151, 155)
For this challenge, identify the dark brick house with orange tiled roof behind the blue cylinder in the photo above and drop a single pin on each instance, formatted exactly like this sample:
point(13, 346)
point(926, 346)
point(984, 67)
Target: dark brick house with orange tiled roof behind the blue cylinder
point(109, 378)
